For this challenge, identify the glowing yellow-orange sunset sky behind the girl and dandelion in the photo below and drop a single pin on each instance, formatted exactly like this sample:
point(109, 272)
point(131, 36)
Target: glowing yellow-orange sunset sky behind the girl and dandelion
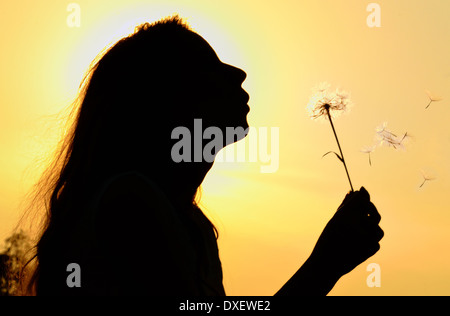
point(269, 222)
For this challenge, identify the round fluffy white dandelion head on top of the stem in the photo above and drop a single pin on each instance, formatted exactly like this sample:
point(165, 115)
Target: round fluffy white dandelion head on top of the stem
point(324, 101)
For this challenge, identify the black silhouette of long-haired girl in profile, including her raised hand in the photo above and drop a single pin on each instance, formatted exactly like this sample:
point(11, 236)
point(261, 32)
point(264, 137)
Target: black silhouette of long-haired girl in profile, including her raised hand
point(123, 210)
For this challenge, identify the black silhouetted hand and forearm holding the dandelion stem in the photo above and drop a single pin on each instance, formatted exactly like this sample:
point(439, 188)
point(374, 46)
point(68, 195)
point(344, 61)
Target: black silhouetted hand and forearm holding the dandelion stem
point(350, 237)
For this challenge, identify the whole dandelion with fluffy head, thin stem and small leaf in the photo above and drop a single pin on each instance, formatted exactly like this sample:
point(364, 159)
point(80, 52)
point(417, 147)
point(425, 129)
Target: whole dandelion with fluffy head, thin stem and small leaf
point(327, 104)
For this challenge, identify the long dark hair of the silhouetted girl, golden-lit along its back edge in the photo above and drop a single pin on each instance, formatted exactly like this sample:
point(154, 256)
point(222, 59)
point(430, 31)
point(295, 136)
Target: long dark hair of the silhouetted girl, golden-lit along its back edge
point(109, 118)
